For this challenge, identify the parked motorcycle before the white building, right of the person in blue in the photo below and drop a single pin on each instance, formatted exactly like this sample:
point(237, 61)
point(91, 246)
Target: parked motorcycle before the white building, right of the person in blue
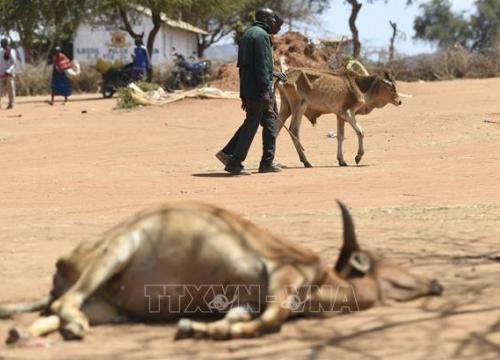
point(187, 74)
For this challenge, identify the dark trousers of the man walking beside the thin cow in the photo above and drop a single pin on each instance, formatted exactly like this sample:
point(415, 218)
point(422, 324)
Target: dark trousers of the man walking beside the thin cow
point(241, 141)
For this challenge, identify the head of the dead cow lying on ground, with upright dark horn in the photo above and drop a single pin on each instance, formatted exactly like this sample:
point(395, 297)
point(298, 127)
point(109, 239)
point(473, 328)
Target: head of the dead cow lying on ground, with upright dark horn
point(367, 271)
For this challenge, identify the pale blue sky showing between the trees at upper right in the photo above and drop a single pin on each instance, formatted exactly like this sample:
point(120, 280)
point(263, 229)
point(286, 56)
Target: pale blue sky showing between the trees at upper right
point(373, 23)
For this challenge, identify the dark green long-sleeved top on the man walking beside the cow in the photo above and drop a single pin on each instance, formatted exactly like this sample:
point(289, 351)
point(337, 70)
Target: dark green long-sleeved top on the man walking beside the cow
point(255, 62)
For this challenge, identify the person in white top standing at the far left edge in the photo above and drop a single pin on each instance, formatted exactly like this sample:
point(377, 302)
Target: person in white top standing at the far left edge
point(7, 72)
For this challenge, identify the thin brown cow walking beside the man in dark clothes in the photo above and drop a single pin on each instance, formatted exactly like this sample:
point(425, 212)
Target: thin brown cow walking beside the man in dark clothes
point(313, 93)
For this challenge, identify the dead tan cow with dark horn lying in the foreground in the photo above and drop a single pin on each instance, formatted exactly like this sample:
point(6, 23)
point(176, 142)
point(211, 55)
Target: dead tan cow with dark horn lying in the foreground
point(131, 271)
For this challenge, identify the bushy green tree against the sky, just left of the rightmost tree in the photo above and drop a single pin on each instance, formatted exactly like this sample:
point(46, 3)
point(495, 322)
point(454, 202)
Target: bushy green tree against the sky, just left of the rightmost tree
point(439, 24)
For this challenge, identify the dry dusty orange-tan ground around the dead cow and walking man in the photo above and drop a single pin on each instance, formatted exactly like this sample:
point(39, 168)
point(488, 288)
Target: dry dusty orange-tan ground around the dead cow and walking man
point(427, 196)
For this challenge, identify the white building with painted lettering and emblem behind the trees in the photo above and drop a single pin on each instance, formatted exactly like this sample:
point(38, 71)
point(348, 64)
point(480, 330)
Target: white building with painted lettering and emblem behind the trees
point(110, 43)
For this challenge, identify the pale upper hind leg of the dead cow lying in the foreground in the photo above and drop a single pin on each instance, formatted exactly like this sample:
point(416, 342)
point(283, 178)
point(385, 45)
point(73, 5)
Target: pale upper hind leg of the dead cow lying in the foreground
point(108, 261)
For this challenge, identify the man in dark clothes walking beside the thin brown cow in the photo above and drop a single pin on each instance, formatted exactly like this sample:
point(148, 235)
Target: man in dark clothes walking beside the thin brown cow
point(255, 63)
